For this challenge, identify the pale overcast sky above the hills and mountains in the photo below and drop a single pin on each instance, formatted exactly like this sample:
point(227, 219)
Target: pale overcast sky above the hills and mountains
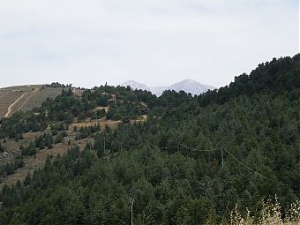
point(156, 42)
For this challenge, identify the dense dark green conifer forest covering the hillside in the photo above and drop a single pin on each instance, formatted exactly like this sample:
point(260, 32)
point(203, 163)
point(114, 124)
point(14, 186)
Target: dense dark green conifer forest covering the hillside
point(173, 159)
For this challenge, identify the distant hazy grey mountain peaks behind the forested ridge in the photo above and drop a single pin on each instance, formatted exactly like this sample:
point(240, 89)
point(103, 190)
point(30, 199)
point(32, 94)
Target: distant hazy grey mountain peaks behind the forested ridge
point(187, 85)
